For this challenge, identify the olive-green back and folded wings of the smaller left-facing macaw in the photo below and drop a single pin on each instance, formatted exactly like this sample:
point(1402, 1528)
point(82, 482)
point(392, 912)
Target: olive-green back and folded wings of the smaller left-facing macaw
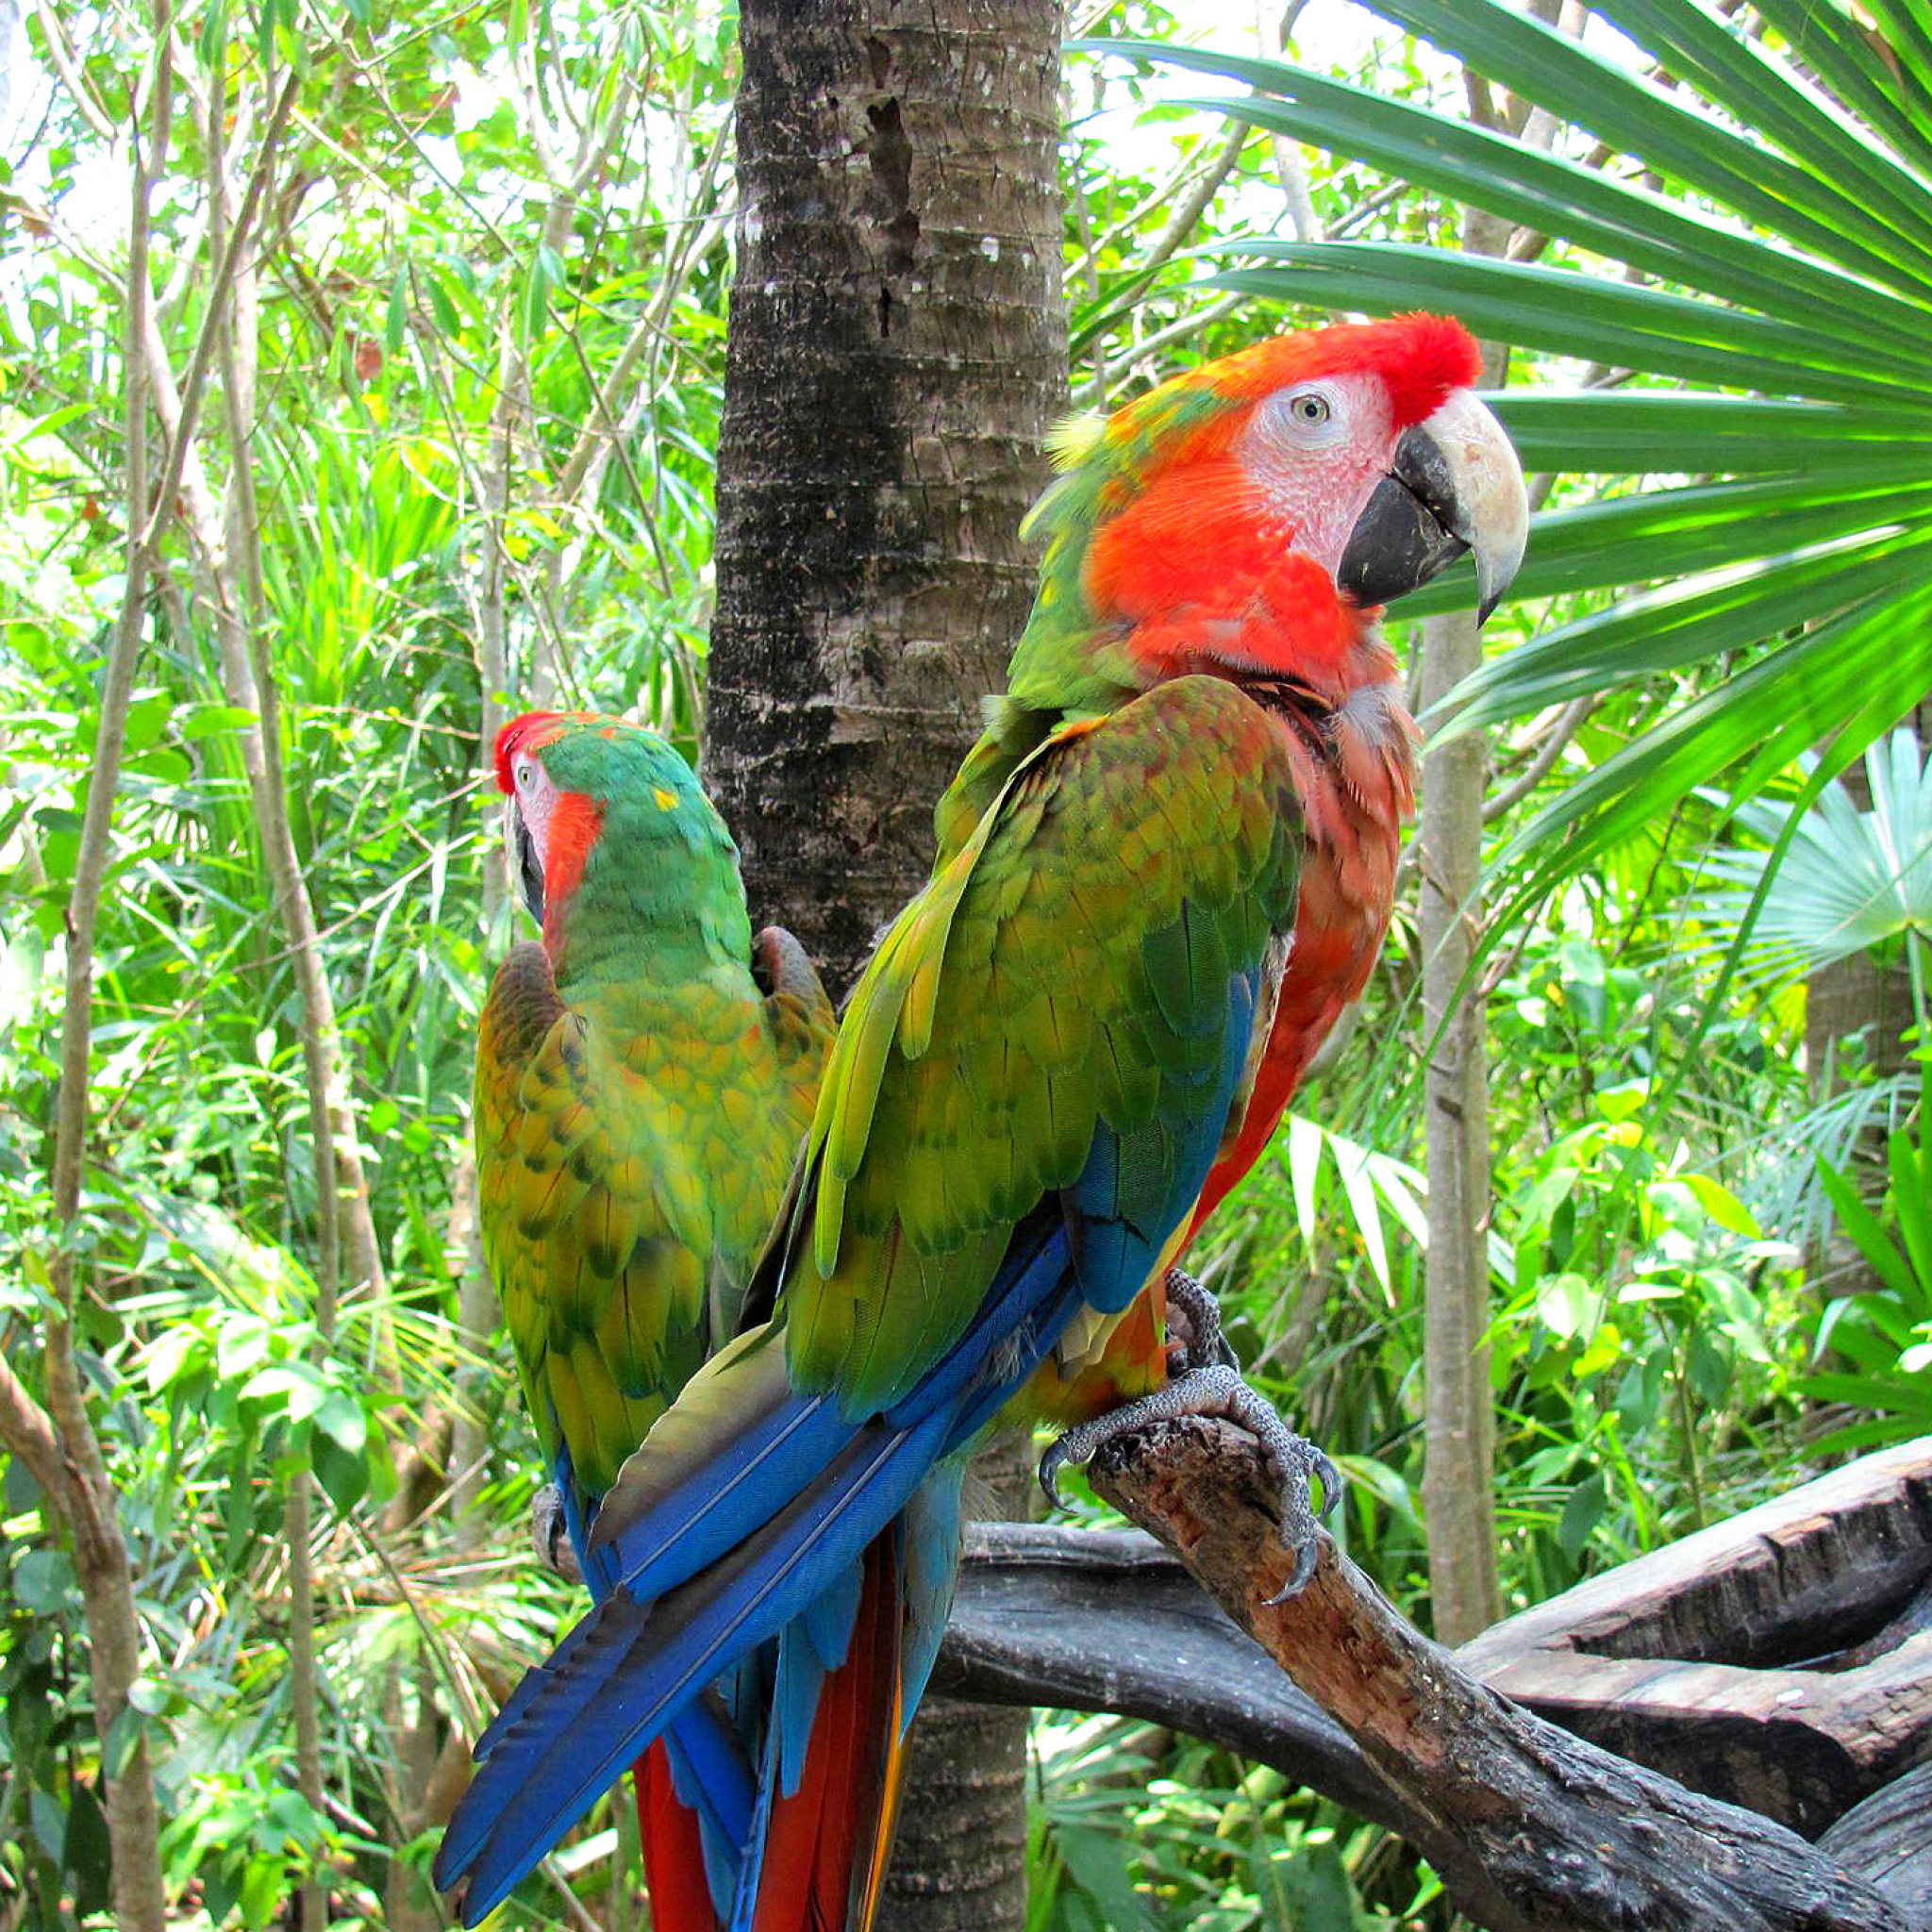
point(633, 1147)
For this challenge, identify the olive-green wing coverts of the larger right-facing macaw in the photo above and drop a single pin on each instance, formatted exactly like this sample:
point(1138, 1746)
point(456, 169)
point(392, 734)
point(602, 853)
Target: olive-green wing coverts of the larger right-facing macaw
point(1067, 967)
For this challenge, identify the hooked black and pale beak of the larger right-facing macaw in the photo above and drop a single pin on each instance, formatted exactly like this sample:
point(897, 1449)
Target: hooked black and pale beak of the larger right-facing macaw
point(1456, 486)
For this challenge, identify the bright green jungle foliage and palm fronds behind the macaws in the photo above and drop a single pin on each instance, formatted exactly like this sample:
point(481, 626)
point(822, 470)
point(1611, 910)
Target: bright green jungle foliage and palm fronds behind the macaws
point(492, 308)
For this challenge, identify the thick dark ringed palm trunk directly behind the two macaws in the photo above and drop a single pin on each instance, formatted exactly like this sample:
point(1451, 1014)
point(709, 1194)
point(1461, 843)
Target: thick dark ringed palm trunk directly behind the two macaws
point(897, 353)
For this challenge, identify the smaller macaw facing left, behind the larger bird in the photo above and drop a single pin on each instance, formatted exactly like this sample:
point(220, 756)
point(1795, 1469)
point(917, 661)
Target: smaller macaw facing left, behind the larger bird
point(644, 1079)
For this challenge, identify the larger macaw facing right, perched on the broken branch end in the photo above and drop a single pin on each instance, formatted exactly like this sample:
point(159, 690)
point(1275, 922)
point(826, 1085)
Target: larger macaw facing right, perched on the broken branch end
point(1033, 1085)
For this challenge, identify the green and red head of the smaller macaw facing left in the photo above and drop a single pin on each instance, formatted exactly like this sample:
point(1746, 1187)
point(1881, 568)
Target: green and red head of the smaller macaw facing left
point(569, 776)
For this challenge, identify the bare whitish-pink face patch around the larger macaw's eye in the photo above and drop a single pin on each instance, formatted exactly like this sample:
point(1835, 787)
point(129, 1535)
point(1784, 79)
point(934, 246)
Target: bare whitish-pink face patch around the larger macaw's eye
point(1315, 453)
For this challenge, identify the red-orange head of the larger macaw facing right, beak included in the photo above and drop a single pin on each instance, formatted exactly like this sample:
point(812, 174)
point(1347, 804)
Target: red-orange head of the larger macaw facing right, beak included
point(1257, 513)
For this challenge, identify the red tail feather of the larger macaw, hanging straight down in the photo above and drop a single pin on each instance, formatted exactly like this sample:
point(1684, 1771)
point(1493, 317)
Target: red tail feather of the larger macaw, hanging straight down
point(826, 1844)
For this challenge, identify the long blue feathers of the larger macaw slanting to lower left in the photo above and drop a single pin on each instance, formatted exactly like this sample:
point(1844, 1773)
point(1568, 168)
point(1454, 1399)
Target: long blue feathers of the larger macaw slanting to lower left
point(745, 1508)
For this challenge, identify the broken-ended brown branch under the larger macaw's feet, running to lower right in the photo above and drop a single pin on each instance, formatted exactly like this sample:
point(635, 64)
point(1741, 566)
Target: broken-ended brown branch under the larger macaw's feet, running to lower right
point(1531, 1829)
